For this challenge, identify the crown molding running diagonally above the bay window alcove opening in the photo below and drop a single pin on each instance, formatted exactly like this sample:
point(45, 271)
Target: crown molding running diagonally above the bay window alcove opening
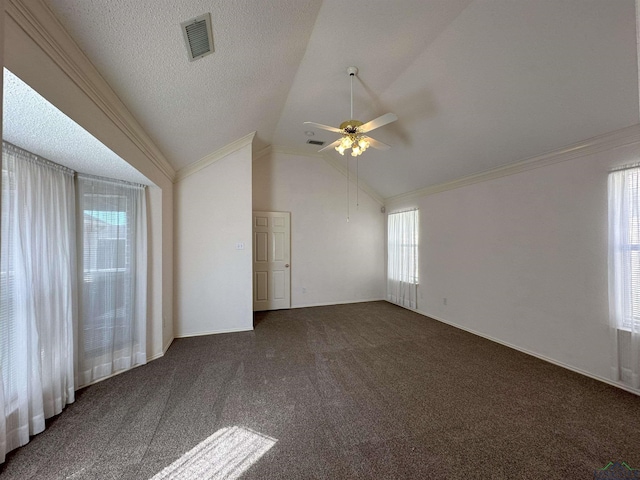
point(39, 22)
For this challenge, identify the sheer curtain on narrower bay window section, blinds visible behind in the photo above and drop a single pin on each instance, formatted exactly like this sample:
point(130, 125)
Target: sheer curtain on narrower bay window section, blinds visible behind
point(112, 219)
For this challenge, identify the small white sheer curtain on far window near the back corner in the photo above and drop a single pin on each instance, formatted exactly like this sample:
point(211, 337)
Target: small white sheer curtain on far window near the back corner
point(402, 258)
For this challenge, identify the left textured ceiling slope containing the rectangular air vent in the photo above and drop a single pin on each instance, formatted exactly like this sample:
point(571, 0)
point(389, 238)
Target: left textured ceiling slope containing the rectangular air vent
point(191, 109)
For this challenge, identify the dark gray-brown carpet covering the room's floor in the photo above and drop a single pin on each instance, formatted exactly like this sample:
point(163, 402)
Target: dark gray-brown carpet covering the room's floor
point(365, 390)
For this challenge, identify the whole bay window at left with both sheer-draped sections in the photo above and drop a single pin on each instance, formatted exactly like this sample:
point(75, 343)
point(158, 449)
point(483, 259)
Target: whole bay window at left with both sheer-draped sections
point(46, 208)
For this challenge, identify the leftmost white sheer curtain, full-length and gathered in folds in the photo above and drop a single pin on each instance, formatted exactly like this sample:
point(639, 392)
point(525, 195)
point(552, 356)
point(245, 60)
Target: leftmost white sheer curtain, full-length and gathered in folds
point(37, 290)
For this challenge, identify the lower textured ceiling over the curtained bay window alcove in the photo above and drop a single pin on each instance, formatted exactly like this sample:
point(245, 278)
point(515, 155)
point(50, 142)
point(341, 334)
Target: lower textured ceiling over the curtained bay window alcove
point(28, 119)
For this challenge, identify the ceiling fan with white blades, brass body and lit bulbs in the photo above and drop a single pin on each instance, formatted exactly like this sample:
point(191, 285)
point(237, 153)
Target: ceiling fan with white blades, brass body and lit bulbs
point(354, 131)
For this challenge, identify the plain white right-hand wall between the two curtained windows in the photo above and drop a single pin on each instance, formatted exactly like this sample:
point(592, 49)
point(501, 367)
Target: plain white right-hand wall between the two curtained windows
point(523, 258)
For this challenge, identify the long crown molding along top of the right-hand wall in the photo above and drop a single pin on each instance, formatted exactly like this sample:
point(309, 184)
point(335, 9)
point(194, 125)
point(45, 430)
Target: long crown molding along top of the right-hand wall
point(618, 138)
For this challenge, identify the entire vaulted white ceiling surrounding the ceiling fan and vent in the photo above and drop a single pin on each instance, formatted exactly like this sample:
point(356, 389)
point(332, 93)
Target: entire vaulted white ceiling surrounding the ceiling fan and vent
point(475, 84)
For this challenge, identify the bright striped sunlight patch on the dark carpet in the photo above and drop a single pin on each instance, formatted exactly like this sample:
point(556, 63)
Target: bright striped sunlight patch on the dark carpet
point(228, 453)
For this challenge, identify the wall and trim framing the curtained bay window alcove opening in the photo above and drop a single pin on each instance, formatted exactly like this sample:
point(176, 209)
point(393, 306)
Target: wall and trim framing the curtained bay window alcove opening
point(29, 55)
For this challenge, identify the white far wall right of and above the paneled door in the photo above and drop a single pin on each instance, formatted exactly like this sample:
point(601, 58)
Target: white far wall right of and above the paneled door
point(335, 261)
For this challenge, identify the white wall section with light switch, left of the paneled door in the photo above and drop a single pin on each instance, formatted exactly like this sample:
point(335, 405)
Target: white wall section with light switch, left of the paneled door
point(213, 292)
